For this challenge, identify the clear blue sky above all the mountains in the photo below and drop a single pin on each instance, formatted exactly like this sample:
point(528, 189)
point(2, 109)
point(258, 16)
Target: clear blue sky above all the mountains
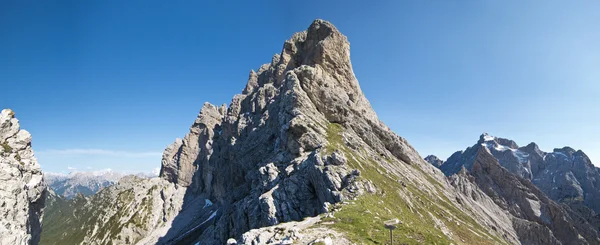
point(109, 84)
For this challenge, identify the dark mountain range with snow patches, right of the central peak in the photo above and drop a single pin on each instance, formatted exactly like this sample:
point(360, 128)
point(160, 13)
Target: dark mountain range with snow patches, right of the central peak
point(522, 178)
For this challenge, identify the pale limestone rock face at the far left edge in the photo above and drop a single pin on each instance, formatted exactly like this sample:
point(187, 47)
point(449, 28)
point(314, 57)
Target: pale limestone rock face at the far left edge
point(22, 188)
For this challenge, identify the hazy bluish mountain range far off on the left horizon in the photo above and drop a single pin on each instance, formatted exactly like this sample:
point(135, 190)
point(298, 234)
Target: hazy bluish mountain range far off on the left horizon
point(86, 183)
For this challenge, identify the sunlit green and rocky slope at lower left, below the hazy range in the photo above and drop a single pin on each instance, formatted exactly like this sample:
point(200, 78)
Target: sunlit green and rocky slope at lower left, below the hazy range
point(124, 213)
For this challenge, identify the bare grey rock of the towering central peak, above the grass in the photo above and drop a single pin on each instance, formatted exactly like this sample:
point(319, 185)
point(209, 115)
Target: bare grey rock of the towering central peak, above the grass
point(275, 138)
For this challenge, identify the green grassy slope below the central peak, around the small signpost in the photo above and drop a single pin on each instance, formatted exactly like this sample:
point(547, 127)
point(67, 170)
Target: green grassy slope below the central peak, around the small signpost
point(422, 214)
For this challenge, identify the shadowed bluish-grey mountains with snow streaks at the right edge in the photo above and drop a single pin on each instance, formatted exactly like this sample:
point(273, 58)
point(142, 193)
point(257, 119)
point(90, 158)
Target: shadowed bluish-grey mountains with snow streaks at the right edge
point(517, 180)
